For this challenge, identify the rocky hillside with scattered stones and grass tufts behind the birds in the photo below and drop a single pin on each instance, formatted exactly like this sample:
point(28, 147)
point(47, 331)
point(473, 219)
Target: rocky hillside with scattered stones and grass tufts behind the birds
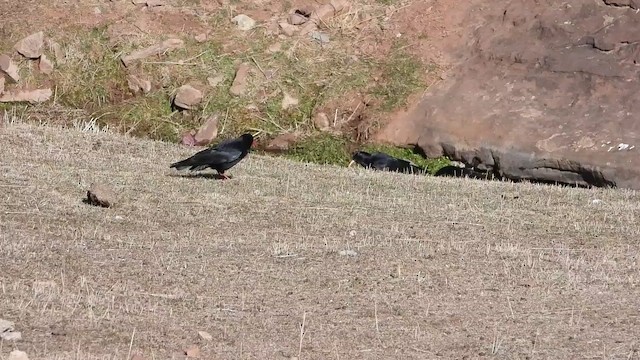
point(298, 72)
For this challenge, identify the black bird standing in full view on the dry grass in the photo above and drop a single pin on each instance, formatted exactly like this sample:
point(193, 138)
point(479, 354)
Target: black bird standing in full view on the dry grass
point(221, 157)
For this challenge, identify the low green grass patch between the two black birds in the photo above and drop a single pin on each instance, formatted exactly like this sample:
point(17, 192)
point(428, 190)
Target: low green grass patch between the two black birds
point(322, 148)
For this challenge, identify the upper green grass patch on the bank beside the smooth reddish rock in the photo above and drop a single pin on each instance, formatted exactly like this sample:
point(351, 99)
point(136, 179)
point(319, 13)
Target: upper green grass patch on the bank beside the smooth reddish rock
point(401, 76)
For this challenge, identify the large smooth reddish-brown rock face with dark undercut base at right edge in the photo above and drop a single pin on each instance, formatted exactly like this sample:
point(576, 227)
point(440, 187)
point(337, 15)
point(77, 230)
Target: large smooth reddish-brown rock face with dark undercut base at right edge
point(547, 91)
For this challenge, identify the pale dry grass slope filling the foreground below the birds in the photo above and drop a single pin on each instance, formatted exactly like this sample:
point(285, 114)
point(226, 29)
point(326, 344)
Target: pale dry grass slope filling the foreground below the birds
point(444, 268)
